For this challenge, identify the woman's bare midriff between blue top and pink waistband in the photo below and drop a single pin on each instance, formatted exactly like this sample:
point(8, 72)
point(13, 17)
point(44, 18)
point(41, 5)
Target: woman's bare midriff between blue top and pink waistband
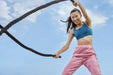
point(87, 40)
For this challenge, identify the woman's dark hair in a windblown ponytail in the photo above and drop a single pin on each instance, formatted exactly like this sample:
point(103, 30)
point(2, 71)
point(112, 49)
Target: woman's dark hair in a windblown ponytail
point(69, 22)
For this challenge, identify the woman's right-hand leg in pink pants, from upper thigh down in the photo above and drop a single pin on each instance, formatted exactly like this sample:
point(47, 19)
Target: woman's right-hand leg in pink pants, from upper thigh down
point(92, 64)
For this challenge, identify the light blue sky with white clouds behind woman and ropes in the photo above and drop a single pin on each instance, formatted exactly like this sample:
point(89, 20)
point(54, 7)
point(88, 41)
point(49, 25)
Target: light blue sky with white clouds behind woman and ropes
point(44, 32)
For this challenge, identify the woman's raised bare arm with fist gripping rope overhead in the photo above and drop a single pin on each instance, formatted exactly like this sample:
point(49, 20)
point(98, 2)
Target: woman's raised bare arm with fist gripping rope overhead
point(88, 20)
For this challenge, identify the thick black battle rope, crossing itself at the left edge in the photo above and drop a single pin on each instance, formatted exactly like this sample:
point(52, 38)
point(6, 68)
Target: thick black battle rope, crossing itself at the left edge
point(4, 29)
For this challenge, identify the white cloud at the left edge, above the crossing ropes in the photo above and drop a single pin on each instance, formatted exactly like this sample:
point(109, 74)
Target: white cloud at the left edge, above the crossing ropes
point(4, 10)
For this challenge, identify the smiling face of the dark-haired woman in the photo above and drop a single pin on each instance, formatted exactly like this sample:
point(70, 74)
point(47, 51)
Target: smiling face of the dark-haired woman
point(76, 17)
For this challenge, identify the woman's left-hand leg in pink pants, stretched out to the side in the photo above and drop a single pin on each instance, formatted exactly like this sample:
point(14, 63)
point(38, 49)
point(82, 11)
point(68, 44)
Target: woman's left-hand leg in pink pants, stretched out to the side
point(73, 65)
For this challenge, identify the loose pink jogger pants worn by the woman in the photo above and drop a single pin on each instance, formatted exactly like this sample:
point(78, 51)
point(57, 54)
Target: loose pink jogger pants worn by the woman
point(83, 55)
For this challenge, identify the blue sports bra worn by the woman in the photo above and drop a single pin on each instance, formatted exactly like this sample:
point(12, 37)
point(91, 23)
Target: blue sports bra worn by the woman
point(82, 32)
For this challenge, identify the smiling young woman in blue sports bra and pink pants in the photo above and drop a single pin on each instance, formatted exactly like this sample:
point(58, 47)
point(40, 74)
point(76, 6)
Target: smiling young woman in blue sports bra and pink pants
point(84, 53)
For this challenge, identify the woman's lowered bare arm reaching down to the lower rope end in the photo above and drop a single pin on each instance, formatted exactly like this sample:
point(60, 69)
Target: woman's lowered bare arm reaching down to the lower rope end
point(67, 44)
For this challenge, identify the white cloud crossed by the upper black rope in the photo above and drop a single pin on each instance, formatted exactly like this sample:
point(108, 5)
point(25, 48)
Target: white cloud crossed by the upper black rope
point(25, 6)
